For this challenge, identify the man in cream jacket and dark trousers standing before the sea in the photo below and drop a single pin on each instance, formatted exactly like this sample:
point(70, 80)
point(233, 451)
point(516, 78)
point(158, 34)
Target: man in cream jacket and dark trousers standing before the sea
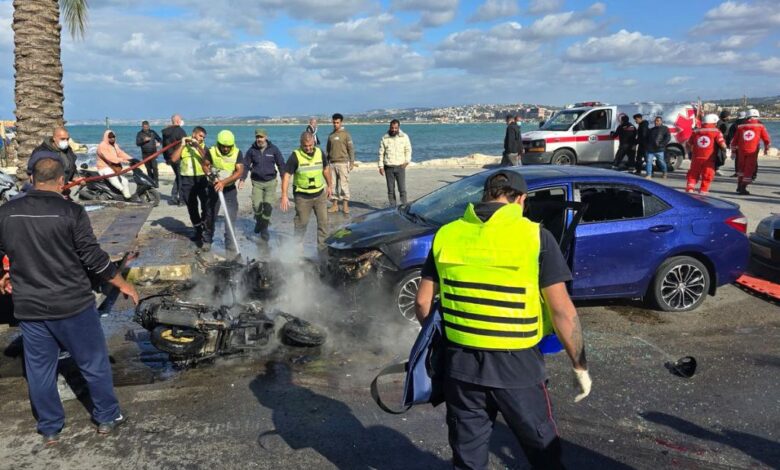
point(395, 153)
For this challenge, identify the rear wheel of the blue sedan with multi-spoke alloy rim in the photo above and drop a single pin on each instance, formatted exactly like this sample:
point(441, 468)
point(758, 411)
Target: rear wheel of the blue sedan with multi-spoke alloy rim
point(680, 284)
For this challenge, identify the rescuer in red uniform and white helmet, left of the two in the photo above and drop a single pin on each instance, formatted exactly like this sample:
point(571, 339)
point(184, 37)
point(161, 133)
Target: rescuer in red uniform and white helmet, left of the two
point(704, 143)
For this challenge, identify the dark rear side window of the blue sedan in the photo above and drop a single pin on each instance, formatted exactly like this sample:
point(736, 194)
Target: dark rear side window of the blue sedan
point(617, 202)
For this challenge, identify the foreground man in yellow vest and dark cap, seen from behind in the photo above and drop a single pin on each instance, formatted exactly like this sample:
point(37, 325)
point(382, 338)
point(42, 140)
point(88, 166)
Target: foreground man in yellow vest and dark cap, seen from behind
point(494, 297)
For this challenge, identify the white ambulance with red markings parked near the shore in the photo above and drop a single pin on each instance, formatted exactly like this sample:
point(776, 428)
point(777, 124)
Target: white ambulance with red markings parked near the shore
point(581, 133)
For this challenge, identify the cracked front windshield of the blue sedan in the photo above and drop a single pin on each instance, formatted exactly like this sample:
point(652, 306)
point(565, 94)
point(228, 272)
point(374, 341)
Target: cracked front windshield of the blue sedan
point(448, 203)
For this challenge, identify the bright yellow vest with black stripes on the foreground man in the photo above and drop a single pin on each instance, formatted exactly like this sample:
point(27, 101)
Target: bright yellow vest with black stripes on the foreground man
point(489, 280)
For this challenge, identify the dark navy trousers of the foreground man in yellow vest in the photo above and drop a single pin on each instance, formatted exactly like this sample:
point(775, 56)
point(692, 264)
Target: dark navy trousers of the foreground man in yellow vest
point(471, 413)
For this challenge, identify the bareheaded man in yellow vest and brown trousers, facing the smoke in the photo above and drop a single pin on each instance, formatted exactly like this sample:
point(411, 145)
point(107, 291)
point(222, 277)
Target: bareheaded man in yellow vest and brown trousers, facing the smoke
point(312, 187)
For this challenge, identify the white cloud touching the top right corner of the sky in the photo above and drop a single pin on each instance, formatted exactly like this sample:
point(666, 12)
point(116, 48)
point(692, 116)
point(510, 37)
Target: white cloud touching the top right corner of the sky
point(737, 16)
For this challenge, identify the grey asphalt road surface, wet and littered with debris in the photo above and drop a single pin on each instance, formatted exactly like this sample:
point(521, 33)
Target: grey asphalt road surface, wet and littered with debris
point(300, 409)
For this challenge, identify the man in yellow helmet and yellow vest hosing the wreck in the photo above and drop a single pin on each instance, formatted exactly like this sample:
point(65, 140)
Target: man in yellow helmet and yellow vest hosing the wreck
point(225, 156)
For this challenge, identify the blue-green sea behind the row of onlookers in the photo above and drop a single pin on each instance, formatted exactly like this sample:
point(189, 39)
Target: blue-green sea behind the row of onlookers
point(429, 141)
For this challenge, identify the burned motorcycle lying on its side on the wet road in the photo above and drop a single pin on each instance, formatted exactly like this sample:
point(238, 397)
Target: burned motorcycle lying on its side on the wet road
point(192, 332)
